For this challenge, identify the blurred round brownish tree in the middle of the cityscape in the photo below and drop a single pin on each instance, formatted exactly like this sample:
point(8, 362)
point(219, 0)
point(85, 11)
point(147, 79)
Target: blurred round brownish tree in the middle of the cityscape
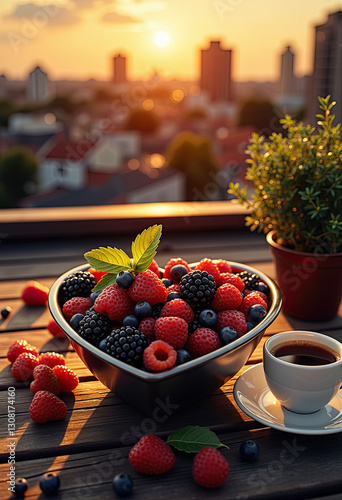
point(193, 155)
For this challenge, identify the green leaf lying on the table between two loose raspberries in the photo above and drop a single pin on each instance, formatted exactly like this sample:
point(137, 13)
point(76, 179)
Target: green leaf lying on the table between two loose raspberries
point(193, 438)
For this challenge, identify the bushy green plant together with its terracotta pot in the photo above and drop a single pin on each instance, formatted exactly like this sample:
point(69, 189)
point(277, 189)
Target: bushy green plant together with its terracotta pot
point(297, 201)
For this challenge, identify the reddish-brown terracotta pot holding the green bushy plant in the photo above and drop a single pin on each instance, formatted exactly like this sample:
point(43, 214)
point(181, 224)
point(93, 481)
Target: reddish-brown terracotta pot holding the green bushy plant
point(310, 283)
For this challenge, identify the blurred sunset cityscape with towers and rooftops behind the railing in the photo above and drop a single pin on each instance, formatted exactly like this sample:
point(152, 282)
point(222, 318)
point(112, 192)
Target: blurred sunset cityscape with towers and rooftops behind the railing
point(134, 101)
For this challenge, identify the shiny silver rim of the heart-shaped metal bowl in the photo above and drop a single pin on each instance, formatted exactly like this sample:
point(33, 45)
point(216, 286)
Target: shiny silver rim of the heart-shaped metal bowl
point(272, 313)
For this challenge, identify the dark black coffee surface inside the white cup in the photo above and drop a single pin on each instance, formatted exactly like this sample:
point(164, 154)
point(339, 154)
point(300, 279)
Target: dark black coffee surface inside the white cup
point(301, 352)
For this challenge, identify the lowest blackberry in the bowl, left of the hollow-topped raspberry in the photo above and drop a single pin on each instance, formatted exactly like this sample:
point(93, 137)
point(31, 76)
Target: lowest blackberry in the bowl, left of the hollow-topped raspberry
point(127, 344)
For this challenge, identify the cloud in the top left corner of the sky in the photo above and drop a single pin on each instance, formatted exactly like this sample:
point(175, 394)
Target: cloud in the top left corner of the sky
point(44, 14)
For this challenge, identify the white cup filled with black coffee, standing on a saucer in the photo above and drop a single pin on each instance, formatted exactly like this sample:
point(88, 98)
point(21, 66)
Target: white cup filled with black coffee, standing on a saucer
point(302, 388)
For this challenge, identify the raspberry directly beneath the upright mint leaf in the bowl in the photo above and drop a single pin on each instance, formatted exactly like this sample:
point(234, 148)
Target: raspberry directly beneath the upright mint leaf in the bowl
point(147, 286)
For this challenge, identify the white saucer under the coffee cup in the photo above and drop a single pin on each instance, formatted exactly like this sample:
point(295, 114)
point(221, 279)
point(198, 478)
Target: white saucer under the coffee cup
point(253, 396)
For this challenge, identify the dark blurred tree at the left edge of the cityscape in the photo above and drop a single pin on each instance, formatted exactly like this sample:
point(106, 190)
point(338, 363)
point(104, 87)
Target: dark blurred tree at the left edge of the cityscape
point(18, 172)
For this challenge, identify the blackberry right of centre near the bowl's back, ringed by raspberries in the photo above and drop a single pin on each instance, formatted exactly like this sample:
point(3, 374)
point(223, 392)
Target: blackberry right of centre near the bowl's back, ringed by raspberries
point(198, 289)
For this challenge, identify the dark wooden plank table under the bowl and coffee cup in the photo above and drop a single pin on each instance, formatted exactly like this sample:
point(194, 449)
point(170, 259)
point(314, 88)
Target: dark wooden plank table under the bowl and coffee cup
point(92, 443)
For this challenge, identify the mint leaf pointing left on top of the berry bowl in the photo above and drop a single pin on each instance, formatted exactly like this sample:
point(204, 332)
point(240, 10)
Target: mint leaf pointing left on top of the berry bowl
point(109, 260)
